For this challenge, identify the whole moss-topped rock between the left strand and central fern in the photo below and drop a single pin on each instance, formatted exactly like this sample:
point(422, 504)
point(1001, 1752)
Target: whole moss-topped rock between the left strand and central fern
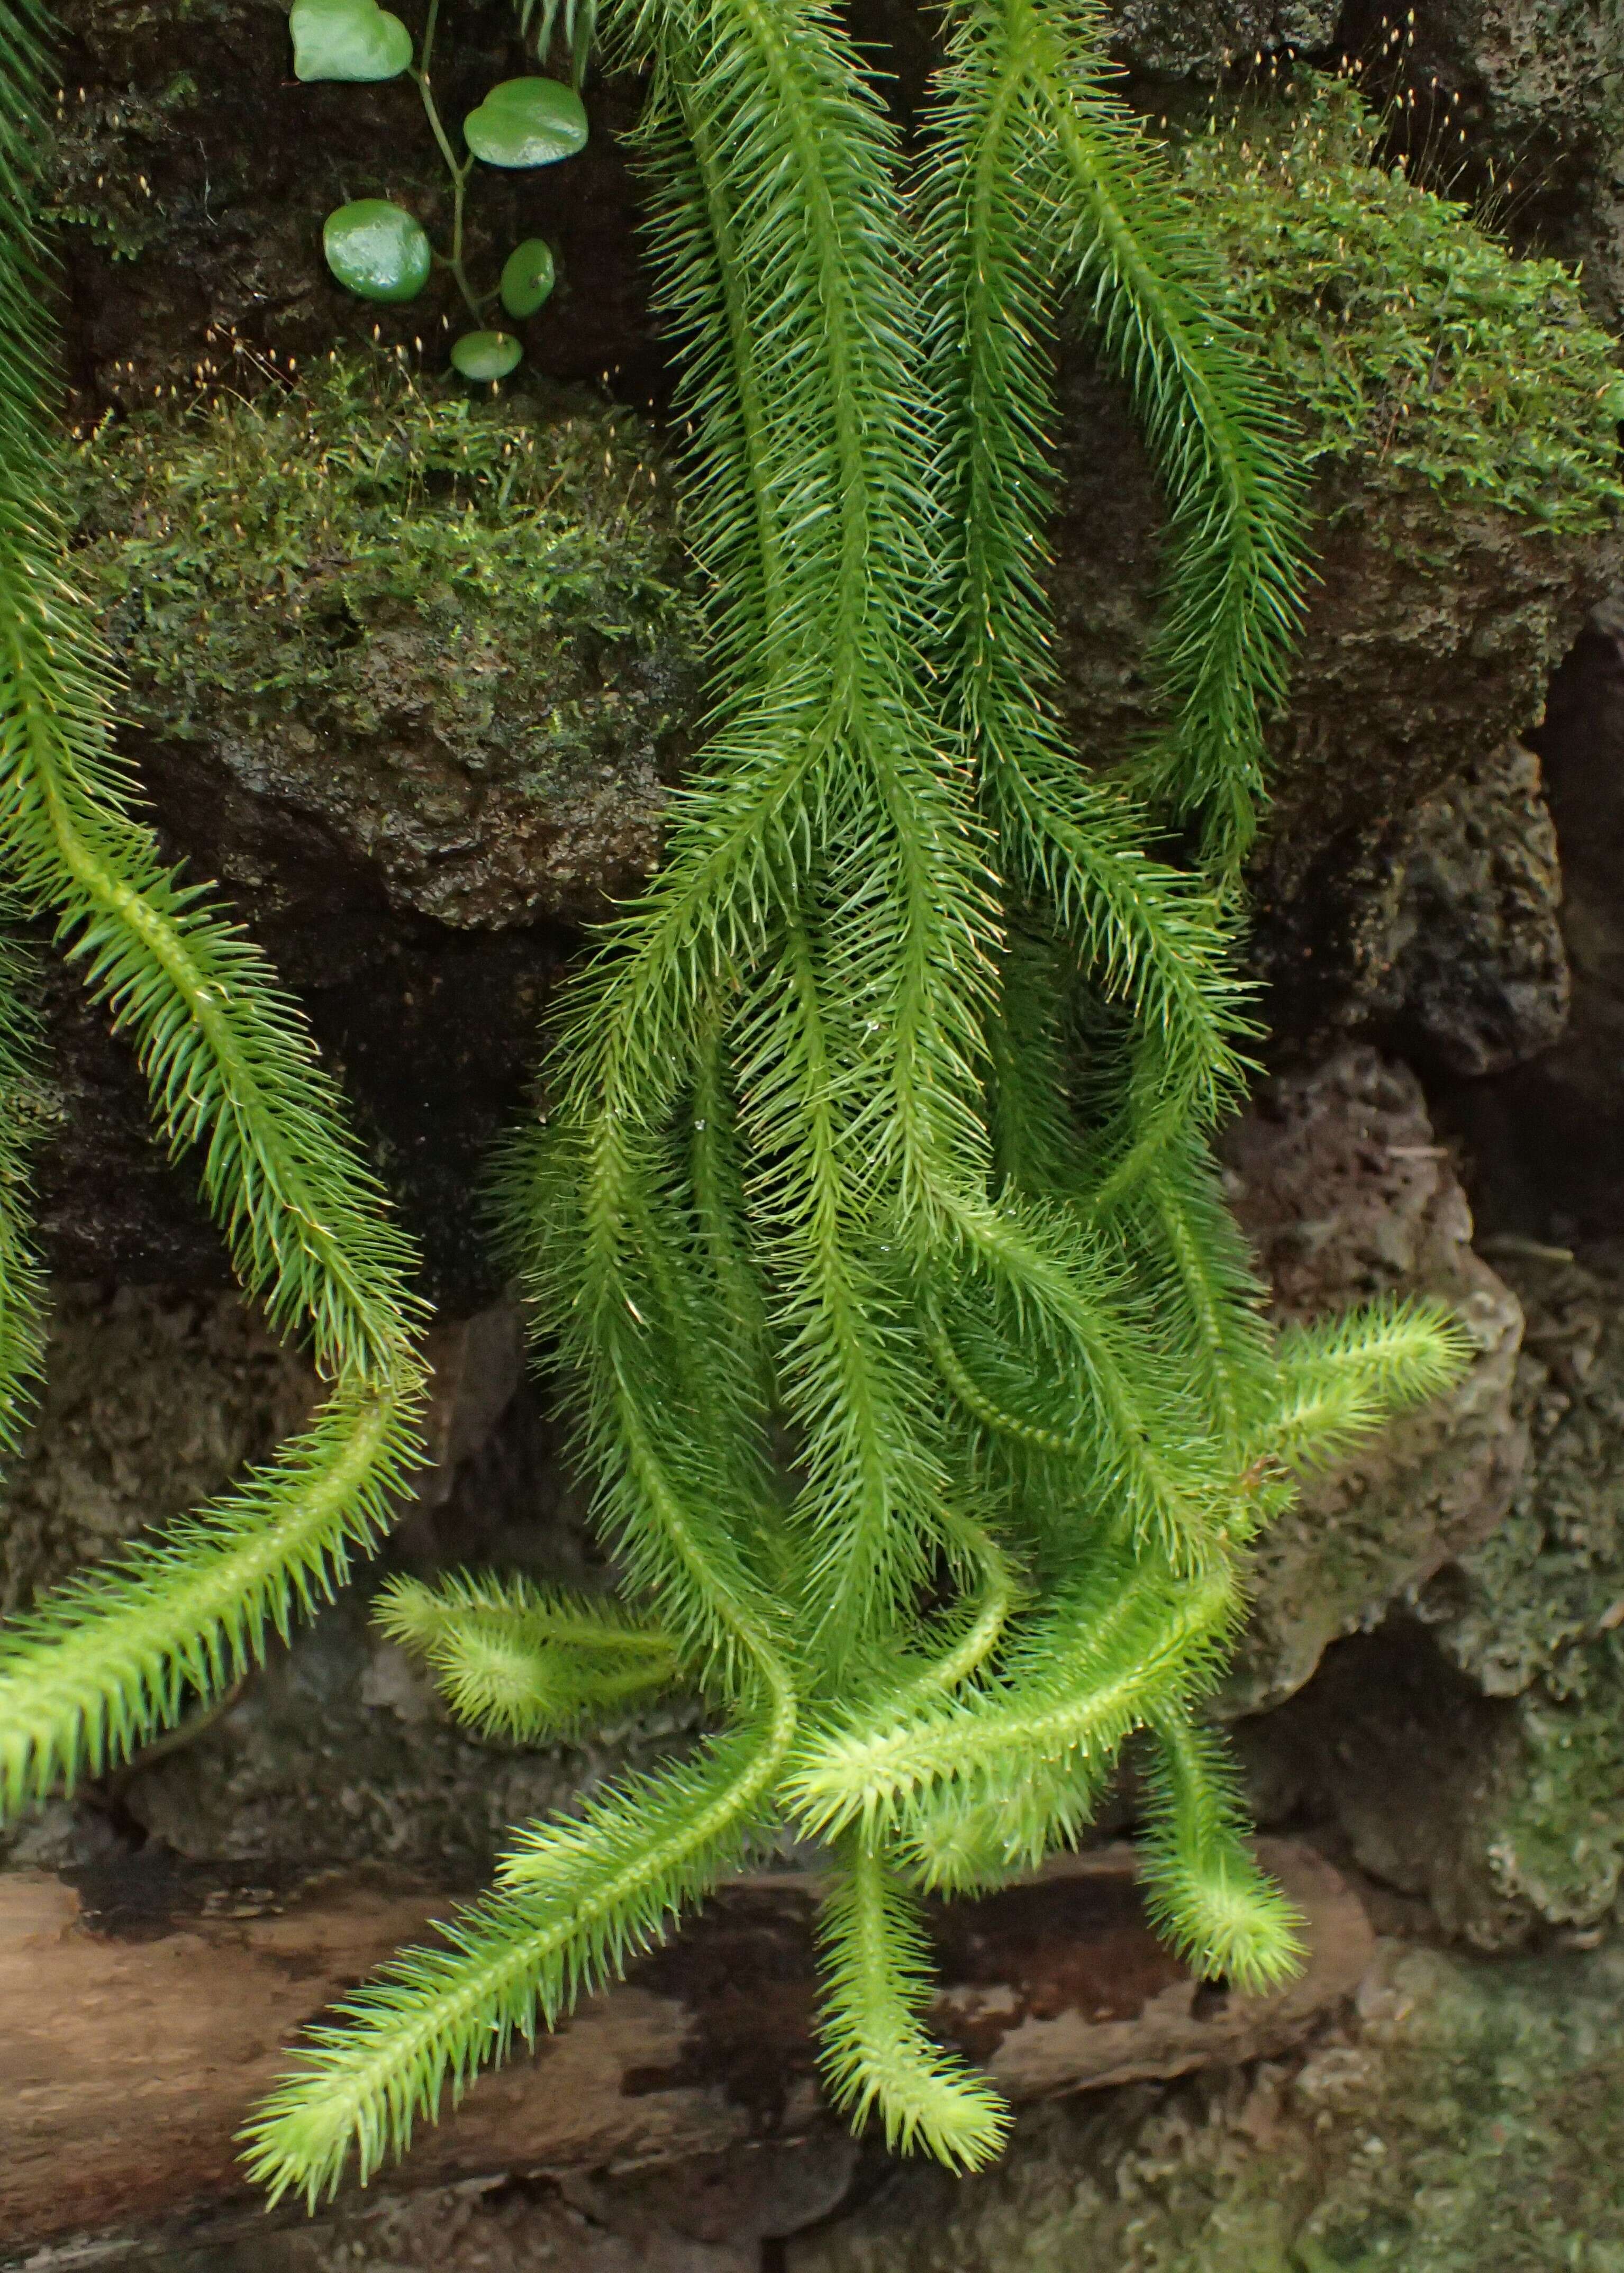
point(456, 635)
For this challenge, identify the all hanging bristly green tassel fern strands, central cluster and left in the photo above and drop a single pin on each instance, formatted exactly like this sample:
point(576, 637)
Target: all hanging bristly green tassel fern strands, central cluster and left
point(872, 1219)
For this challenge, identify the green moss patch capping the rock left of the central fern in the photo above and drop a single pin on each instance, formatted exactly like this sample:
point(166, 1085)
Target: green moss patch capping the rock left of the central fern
point(245, 544)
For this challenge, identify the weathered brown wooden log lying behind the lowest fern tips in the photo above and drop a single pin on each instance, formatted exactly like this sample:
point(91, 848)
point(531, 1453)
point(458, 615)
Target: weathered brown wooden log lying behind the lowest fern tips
point(142, 2015)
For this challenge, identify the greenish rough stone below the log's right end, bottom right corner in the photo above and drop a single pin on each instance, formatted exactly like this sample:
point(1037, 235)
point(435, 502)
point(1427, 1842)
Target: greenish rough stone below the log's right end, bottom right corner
point(1459, 2124)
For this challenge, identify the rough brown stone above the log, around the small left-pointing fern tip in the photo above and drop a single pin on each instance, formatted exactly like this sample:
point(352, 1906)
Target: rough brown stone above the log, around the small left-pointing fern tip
point(340, 1751)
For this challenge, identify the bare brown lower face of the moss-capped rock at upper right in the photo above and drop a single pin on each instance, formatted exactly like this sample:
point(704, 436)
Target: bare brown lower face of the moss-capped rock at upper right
point(1432, 633)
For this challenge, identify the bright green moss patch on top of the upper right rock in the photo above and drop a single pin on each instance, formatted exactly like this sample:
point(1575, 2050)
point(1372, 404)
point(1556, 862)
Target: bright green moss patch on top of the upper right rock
point(1402, 333)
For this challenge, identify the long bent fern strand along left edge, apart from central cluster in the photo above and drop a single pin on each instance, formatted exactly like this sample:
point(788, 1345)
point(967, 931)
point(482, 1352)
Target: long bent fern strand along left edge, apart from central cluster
point(231, 1072)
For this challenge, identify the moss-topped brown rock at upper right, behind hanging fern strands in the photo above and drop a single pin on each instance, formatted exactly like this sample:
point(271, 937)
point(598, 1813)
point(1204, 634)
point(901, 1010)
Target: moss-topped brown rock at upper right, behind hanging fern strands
point(1459, 435)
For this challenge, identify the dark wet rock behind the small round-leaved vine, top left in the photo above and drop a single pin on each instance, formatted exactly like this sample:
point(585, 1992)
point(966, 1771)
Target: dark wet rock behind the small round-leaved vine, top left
point(222, 249)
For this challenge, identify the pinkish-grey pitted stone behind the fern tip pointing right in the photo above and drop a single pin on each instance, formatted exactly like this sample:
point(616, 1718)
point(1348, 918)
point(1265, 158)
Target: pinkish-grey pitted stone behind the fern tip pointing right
point(1345, 1194)
